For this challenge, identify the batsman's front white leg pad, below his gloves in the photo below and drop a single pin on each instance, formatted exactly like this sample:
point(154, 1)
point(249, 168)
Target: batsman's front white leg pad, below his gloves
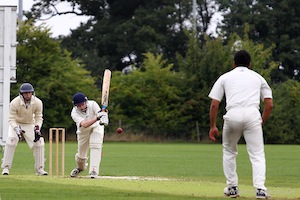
point(96, 142)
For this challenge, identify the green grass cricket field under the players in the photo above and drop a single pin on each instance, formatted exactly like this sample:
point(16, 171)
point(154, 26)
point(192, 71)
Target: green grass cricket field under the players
point(158, 171)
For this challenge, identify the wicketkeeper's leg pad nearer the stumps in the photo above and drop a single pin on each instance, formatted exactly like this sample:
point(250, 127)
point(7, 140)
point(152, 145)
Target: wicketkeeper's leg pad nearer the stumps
point(39, 154)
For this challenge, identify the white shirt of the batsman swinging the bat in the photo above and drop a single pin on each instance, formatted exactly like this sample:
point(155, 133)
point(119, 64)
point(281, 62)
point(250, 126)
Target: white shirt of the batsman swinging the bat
point(91, 111)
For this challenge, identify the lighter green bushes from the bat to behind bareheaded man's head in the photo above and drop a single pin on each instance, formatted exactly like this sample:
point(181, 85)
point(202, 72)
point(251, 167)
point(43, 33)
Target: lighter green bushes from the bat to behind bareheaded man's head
point(156, 100)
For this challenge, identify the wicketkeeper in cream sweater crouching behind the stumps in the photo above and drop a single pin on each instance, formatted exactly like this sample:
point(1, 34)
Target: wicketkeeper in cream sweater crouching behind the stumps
point(25, 122)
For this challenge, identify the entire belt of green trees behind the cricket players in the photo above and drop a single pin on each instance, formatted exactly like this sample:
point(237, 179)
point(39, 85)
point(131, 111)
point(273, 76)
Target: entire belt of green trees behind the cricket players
point(175, 64)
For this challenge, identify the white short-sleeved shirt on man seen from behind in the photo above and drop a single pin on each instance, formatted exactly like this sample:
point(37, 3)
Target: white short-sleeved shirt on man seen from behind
point(242, 88)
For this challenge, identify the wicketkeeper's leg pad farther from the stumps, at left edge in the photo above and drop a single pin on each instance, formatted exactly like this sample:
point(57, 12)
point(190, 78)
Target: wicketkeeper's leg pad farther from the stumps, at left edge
point(9, 152)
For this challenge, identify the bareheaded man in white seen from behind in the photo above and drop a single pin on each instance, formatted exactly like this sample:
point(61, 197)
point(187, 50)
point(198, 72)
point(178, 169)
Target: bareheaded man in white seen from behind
point(243, 89)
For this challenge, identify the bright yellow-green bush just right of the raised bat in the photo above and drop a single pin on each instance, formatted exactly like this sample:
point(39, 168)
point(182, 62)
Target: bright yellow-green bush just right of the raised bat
point(149, 99)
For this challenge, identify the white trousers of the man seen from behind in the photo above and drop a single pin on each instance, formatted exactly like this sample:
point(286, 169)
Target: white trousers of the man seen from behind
point(246, 121)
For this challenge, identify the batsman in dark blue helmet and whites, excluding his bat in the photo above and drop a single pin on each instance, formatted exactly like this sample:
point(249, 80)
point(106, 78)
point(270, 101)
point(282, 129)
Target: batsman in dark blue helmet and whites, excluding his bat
point(90, 122)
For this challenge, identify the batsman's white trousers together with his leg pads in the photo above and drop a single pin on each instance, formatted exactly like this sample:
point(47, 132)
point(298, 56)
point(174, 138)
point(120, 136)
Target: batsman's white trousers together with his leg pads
point(91, 137)
